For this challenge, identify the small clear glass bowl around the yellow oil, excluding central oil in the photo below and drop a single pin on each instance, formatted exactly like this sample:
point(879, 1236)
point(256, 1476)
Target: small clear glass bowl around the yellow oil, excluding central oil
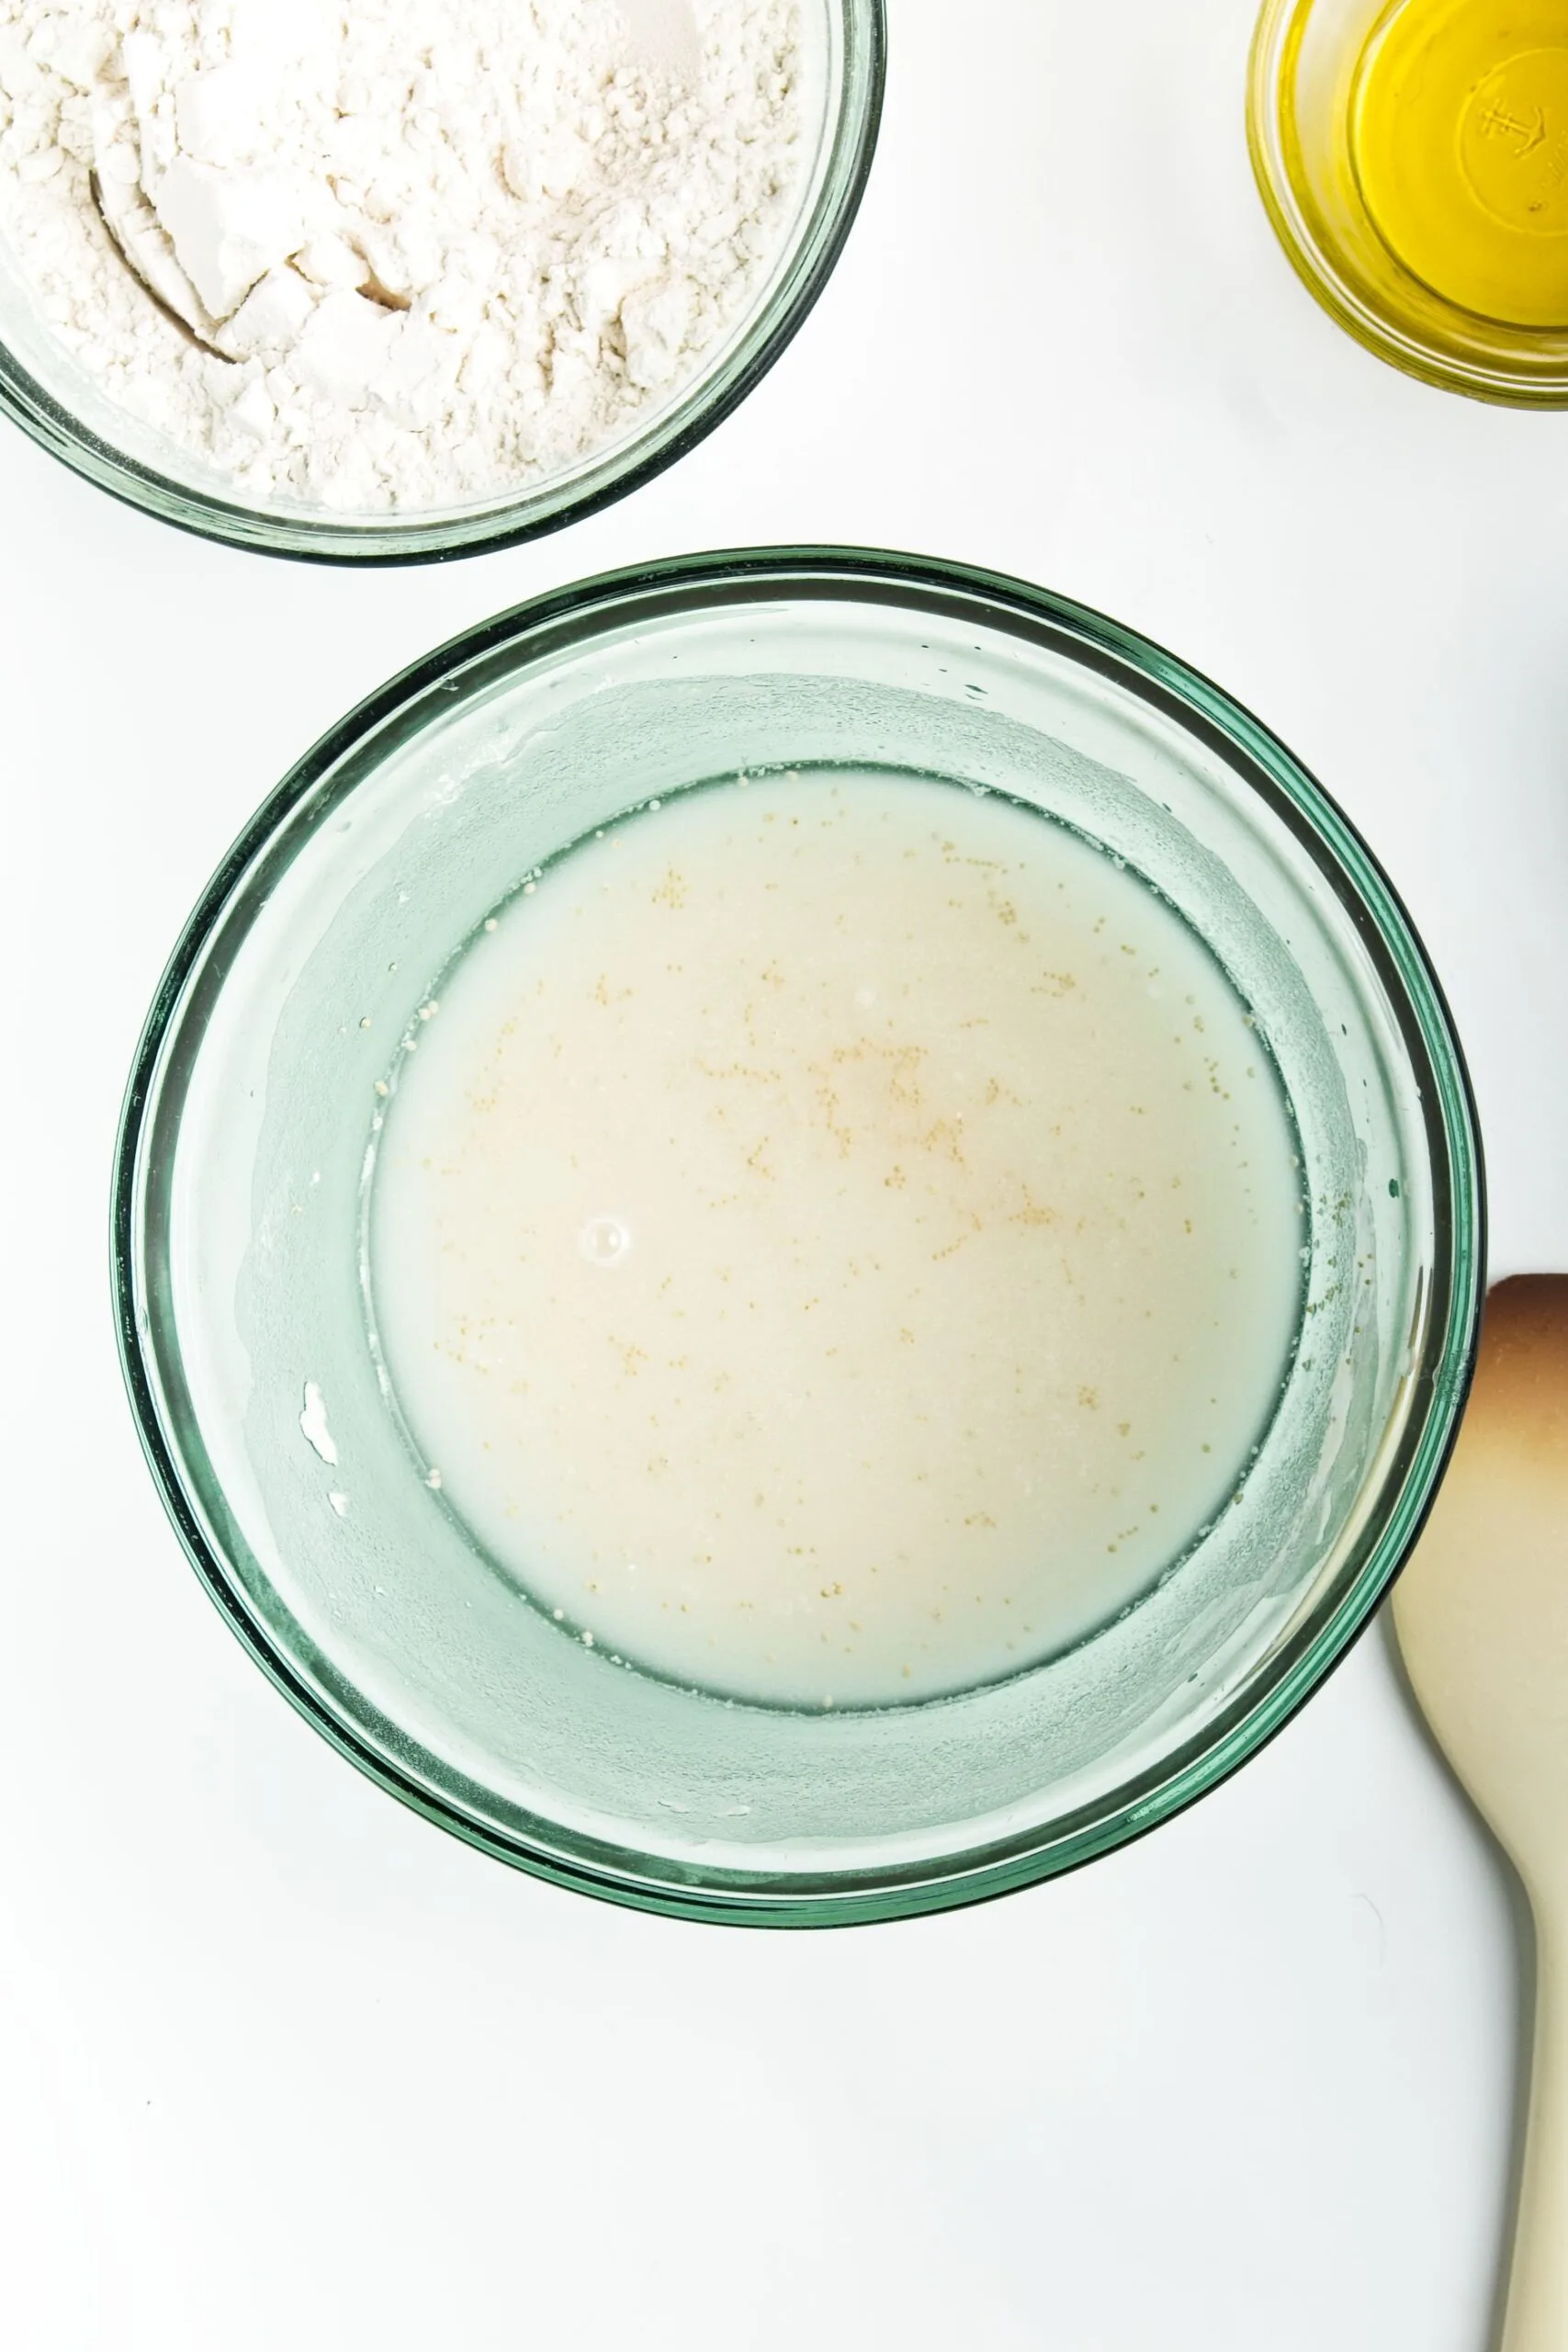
point(1304, 88)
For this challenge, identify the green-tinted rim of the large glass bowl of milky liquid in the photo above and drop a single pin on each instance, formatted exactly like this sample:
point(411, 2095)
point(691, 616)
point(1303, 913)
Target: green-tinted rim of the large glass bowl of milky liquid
point(570, 617)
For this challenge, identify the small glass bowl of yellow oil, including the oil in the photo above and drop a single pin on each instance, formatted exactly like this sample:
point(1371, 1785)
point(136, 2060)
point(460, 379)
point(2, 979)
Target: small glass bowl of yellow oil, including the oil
point(1414, 159)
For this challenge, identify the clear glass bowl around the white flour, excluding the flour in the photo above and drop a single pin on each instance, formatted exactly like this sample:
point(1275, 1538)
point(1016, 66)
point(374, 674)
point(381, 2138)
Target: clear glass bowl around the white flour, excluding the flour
point(51, 396)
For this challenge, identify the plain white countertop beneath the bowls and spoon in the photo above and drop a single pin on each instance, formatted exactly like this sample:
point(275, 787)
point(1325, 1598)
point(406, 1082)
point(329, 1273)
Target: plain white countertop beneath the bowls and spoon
point(279, 2062)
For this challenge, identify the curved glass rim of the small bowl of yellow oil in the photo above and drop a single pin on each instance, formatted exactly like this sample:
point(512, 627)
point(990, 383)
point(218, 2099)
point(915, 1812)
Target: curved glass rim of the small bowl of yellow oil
point(1271, 138)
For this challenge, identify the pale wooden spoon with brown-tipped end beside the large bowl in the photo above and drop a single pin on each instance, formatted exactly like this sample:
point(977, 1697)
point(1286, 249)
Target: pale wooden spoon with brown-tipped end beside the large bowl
point(1482, 1619)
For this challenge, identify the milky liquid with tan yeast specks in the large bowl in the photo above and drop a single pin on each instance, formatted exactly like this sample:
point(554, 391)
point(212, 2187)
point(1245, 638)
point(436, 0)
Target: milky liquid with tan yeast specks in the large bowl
point(836, 1238)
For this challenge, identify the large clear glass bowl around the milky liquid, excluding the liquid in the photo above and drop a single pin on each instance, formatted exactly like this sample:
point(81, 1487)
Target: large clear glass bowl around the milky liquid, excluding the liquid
point(239, 1234)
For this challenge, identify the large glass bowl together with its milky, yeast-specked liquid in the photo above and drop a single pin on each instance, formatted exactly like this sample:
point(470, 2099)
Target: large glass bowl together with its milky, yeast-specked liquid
point(798, 1238)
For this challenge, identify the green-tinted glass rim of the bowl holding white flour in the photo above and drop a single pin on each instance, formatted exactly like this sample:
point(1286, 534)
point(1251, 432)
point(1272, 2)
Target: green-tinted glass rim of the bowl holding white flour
point(532, 514)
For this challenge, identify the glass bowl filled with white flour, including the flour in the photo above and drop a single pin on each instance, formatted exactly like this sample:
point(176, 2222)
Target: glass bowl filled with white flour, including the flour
point(413, 281)
